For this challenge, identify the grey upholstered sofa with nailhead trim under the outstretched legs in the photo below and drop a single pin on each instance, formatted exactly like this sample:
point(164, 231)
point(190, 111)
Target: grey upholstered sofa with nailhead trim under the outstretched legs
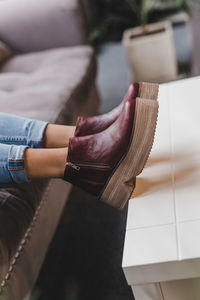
point(50, 77)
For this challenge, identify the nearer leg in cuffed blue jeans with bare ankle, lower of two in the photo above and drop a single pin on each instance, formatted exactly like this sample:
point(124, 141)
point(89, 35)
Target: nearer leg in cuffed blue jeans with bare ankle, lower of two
point(19, 164)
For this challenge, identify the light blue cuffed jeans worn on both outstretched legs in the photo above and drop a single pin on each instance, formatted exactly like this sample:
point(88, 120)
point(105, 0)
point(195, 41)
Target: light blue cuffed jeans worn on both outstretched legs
point(17, 134)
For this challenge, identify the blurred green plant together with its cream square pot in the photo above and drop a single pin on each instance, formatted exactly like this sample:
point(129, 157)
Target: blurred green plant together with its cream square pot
point(156, 63)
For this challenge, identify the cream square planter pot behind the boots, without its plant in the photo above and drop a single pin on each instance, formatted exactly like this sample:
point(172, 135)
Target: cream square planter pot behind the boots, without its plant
point(151, 57)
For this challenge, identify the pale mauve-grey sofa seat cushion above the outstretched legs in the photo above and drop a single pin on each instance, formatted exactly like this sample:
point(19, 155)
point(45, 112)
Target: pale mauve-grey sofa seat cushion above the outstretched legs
point(39, 85)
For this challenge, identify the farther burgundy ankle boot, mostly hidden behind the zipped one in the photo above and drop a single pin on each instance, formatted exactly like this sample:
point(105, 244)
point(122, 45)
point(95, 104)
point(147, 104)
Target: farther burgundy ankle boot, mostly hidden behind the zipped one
point(95, 124)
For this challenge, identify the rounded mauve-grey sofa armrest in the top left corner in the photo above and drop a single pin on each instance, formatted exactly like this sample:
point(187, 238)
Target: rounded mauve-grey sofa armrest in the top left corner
point(28, 26)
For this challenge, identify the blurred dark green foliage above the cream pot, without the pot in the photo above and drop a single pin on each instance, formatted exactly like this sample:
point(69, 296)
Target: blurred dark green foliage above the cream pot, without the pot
point(111, 17)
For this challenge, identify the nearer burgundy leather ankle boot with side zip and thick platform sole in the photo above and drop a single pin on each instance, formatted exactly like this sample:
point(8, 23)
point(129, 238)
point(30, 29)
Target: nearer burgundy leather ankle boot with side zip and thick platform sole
point(106, 164)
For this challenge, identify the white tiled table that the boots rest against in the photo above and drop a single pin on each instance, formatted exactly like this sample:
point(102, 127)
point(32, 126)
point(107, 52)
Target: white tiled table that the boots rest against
point(161, 259)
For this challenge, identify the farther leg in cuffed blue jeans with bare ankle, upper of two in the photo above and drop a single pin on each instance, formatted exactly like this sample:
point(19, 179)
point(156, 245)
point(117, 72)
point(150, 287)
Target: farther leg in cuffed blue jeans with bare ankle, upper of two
point(34, 133)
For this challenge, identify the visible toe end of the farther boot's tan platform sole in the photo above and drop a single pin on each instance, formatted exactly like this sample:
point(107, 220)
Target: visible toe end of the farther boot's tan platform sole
point(148, 90)
